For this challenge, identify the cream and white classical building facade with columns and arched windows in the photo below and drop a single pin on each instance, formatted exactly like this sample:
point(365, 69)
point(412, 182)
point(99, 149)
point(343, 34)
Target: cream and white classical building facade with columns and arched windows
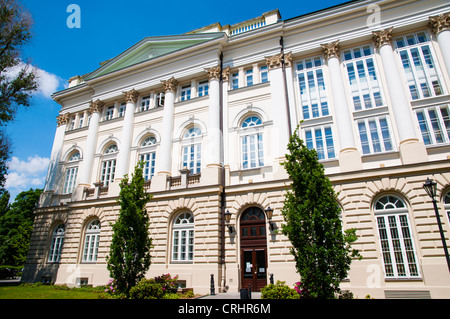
point(211, 111)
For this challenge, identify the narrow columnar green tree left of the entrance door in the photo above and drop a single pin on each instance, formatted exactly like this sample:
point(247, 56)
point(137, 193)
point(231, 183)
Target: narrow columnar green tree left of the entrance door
point(129, 256)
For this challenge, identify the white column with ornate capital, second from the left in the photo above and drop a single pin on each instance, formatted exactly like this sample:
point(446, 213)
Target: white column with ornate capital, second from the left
point(85, 170)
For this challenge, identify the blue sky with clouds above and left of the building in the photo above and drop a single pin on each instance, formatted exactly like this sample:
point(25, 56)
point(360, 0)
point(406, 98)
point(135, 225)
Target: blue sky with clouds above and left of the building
point(107, 29)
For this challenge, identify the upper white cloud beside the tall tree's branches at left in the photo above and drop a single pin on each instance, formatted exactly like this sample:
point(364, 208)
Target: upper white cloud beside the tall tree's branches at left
point(48, 83)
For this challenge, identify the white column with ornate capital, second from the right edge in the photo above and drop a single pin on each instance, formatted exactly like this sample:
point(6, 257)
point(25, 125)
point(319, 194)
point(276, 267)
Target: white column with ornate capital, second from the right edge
point(411, 149)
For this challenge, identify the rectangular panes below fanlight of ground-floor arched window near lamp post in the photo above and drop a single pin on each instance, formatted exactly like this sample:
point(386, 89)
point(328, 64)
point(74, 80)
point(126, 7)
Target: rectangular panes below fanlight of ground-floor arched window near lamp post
point(397, 247)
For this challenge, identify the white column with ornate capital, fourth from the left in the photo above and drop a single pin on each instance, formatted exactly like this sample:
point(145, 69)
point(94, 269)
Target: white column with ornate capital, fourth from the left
point(164, 155)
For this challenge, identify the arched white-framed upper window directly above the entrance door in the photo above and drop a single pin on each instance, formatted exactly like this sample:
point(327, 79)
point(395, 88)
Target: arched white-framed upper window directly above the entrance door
point(252, 148)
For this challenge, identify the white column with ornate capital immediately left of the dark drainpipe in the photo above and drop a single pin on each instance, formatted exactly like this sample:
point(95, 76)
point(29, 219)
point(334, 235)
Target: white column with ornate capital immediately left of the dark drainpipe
point(214, 151)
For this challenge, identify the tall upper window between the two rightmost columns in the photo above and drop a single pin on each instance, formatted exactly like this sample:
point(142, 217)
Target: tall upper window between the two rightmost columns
point(419, 66)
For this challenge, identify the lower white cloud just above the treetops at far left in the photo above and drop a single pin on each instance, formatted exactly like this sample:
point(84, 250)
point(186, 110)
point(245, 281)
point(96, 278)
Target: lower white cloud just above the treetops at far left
point(24, 175)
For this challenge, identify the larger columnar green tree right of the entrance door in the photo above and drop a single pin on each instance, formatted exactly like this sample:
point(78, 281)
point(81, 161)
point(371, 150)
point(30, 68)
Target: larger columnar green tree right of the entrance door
point(311, 211)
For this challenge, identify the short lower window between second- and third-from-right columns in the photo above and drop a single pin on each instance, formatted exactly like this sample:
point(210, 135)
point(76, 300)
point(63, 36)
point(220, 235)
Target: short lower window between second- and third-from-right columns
point(375, 135)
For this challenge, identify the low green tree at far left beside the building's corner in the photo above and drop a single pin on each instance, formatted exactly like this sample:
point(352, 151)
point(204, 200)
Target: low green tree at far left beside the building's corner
point(16, 225)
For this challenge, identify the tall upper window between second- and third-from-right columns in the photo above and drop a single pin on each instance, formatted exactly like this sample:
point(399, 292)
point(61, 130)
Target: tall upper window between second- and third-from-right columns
point(363, 80)
